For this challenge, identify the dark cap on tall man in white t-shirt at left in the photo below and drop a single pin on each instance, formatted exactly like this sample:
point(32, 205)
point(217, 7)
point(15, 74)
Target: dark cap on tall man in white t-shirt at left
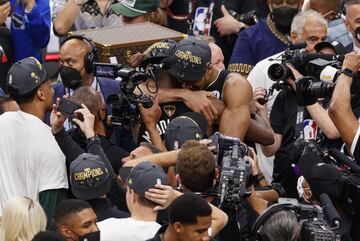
point(26, 75)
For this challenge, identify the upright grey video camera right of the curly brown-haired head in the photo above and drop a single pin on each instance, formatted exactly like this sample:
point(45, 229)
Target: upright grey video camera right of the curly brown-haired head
point(235, 170)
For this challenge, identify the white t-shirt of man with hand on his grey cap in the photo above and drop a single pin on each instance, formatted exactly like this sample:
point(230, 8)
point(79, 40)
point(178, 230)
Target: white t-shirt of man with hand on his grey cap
point(126, 229)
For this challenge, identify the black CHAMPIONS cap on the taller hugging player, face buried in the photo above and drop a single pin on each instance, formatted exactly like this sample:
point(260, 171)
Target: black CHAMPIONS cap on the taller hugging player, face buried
point(192, 57)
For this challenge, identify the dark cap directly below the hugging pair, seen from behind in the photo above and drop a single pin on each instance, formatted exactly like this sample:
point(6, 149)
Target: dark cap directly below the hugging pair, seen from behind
point(188, 126)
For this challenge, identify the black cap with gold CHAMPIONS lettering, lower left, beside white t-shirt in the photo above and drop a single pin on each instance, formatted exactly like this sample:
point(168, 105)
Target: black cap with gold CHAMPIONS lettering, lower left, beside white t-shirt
point(89, 177)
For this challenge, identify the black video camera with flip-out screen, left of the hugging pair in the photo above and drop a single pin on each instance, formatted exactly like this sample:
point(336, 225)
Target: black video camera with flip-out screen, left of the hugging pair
point(124, 104)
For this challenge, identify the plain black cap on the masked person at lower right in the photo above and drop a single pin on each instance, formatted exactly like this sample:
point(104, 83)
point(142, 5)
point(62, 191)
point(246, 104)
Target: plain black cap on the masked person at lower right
point(322, 177)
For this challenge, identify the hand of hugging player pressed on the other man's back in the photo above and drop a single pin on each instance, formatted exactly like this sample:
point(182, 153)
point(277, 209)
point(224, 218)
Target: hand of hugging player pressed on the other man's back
point(198, 101)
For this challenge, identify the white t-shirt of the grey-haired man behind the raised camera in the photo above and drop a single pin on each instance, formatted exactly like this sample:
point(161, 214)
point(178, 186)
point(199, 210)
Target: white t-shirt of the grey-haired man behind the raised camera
point(258, 77)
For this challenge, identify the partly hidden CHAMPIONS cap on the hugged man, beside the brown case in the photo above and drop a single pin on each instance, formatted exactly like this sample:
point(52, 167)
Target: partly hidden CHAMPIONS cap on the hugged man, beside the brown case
point(158, 52)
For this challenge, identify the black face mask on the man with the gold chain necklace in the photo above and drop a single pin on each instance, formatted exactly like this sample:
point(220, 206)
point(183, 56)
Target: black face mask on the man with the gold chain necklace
point(283, 17)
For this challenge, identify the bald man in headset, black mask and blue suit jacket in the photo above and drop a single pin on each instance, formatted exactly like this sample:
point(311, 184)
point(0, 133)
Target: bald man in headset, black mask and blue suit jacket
point(77, 54)
